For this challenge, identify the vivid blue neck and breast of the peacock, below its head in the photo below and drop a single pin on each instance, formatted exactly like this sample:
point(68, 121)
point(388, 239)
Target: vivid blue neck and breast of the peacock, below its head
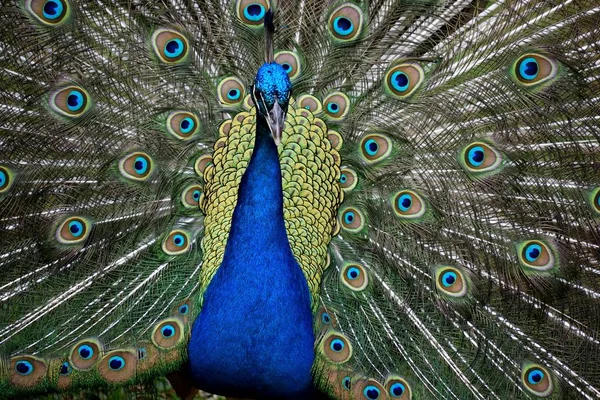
point(254, 337)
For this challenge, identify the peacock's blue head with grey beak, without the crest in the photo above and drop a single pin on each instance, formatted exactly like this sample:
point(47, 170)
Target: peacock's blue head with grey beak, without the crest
point(271, 94)
